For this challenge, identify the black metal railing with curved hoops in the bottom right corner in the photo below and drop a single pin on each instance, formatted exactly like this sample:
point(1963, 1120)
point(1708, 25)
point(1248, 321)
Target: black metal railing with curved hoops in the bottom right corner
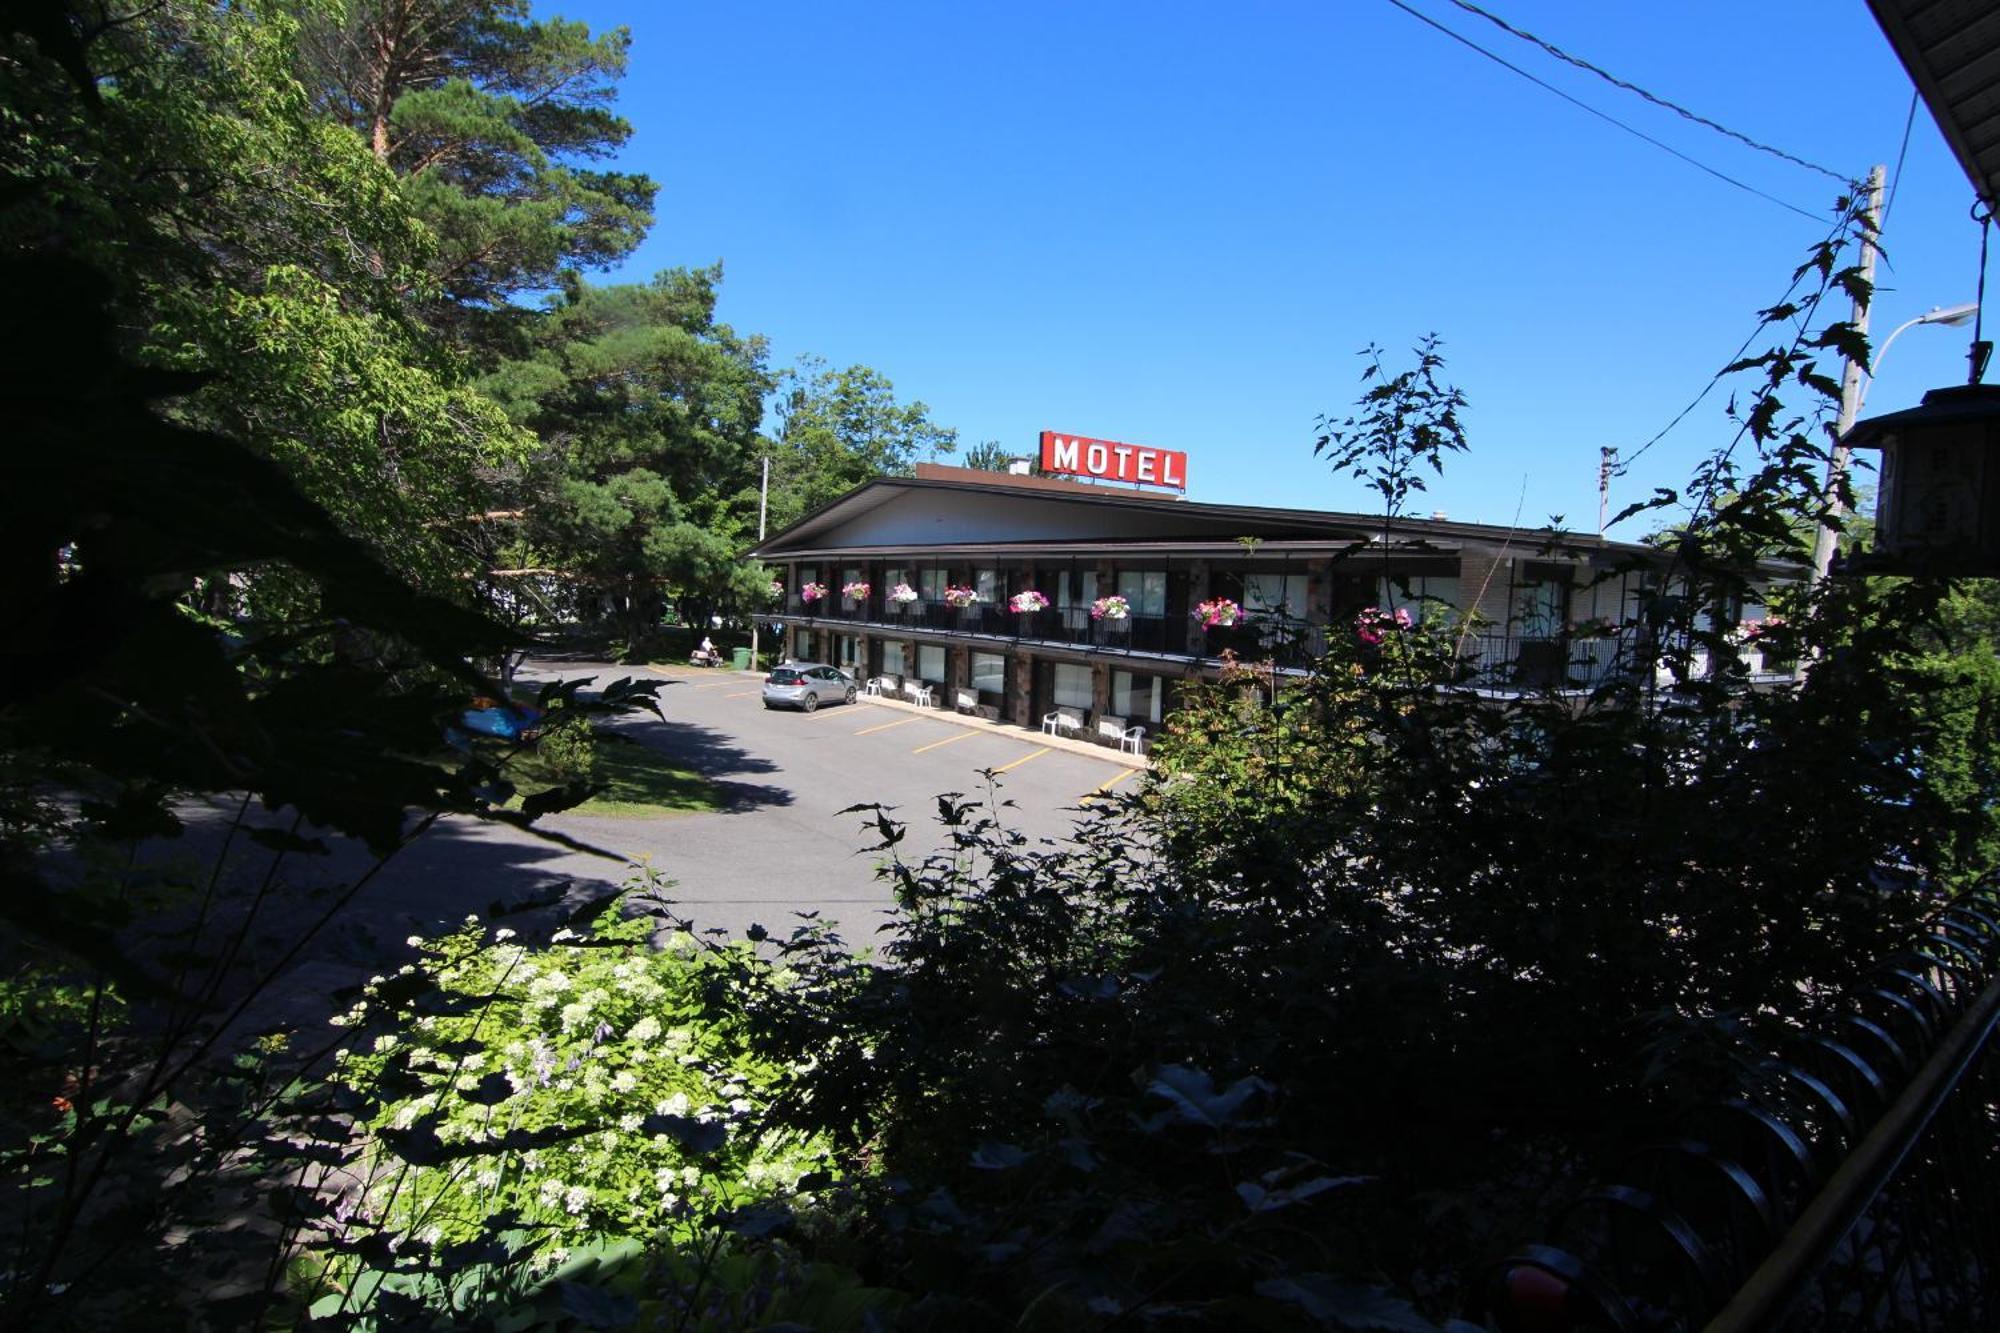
point(1855, 1184)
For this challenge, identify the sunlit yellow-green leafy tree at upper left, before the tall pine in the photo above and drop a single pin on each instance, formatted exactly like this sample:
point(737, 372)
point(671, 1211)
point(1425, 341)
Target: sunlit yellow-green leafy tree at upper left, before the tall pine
point(259, 245)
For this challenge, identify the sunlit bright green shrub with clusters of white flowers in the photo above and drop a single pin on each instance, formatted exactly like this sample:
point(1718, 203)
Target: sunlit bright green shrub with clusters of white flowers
point(595, 1088)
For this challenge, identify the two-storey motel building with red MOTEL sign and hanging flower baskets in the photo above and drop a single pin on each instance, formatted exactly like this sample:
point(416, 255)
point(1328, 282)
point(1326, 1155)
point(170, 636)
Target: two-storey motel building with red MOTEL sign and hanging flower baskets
point(1027, 599)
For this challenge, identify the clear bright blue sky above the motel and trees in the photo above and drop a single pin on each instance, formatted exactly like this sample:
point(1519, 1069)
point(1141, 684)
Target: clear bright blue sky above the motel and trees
point(1177, 225)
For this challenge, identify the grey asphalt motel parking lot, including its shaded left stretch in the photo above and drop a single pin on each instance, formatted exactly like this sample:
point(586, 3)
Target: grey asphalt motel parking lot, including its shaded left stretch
point(777, 848)
